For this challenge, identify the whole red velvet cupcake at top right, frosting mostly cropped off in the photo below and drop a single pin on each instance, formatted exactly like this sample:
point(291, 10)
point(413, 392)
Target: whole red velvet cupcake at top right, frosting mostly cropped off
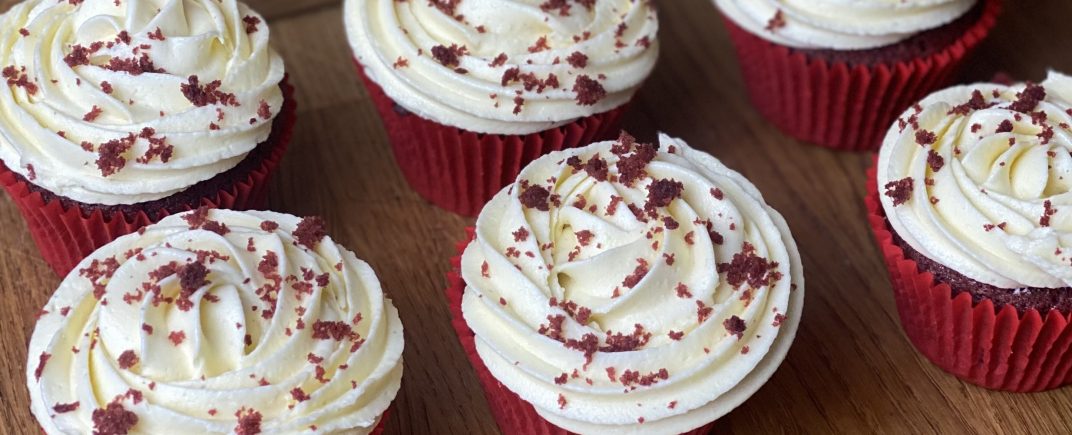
point(837, 74)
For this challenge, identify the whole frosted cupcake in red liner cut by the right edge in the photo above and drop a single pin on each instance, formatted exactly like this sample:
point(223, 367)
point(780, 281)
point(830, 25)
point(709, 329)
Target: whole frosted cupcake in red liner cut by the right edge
point(971, 207)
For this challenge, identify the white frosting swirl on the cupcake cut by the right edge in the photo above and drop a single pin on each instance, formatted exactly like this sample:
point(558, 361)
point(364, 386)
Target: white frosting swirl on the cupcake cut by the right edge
point(977, 178)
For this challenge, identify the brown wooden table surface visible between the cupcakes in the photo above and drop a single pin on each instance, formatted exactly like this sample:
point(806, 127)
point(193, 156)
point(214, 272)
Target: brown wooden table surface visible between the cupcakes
point(852, 369)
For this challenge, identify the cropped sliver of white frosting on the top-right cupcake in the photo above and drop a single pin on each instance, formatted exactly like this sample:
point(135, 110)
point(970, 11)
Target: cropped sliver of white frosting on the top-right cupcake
point(843, 25)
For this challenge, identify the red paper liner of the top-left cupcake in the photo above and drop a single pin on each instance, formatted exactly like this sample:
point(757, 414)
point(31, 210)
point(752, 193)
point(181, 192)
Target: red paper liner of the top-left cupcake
point(67, 232)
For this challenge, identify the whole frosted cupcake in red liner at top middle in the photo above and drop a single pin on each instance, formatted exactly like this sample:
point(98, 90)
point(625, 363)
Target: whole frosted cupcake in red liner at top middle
point(471, 92)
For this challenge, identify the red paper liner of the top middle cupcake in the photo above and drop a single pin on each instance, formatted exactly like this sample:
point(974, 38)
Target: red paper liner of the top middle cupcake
point(460, 171)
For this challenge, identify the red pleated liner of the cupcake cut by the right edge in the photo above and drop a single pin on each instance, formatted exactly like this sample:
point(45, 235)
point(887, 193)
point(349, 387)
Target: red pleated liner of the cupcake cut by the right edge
point(1001, 350)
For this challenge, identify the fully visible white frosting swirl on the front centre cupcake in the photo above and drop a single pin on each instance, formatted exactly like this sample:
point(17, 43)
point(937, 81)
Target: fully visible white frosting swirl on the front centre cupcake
point(624, 288)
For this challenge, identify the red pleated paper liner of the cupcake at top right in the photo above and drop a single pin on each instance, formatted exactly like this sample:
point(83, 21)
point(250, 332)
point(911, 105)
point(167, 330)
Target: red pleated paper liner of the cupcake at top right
point(841, 106)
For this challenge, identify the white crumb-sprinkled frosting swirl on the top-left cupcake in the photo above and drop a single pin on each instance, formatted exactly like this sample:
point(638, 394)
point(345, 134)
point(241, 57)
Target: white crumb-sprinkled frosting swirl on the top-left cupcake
point(129, 101)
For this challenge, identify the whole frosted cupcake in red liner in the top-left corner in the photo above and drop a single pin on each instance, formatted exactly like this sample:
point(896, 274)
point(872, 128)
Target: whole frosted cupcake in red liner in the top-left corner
point(121, 113)
